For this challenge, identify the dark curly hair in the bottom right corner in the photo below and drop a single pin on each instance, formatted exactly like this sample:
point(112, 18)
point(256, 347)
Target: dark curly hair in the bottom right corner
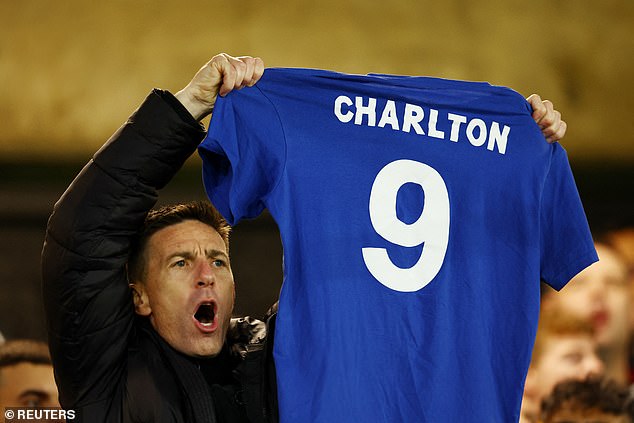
point(593, 393)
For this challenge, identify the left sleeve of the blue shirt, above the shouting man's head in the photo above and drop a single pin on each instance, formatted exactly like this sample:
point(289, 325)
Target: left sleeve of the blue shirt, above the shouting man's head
point(243, 154)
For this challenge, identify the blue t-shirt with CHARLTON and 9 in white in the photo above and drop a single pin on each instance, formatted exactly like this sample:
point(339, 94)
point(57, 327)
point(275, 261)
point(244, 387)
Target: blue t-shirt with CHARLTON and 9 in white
point(417, 217)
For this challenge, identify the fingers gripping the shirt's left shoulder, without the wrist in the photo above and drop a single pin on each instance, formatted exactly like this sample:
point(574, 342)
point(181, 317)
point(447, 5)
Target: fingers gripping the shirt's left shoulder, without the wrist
point(237, 72)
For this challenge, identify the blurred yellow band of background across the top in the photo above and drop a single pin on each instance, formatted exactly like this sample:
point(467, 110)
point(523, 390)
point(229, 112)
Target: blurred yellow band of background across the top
point(71, 71)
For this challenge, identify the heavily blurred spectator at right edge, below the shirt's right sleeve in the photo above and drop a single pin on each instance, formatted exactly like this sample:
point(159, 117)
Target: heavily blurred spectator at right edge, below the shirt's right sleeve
point(600, 294)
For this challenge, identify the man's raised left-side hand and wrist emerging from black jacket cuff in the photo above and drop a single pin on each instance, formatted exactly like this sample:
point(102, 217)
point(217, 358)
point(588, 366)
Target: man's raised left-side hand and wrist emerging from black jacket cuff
point(219, 76)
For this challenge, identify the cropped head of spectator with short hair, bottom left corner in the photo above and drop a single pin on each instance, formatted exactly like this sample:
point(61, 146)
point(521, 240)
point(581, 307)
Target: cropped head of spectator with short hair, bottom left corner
point(26, 375)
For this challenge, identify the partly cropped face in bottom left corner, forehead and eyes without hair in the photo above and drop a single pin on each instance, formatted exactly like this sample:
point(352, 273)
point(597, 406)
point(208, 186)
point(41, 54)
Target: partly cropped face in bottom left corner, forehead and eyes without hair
point(28, 385)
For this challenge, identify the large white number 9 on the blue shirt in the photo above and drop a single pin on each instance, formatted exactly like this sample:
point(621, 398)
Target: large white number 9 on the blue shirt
point(431, 228)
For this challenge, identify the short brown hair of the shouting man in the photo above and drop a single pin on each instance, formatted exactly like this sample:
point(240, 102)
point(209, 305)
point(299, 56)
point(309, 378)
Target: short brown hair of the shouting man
point(169, 215)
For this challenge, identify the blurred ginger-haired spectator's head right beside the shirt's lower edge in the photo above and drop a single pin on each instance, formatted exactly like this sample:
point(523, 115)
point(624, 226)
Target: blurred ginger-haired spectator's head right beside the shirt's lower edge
point(565, 348)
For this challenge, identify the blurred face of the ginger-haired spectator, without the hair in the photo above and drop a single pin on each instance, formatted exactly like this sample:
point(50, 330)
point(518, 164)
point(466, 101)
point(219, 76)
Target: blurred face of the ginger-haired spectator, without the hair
point(566, 357)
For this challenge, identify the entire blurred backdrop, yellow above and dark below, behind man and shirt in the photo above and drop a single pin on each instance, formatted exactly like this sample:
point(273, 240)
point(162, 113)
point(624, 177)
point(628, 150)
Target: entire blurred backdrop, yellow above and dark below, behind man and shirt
point(72, 71)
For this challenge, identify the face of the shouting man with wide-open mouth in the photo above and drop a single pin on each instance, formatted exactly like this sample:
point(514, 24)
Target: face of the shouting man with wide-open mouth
point(188, 292)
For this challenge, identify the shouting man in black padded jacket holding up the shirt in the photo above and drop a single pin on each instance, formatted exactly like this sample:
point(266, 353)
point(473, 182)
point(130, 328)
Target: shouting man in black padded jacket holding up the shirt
point(168, 364)
